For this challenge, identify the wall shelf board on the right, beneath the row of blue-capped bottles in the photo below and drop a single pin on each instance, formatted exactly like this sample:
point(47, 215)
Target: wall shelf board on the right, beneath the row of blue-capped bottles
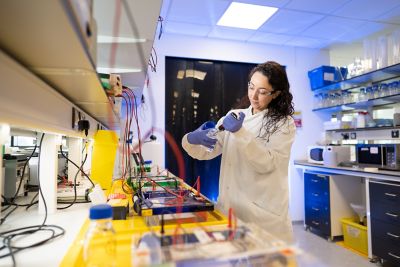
point(386, 100)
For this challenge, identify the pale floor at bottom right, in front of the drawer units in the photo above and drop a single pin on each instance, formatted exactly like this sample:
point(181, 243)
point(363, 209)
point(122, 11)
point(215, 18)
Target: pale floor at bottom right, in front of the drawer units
point(322, 253)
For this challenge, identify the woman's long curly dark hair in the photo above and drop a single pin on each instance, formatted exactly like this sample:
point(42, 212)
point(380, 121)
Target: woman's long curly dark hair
point(279, 108)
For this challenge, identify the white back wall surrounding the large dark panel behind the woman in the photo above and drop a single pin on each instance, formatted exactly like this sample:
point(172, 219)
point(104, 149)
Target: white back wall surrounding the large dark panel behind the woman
point(297, 60)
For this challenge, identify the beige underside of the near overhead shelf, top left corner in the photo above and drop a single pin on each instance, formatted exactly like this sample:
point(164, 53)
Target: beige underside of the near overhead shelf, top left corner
point(45, 37)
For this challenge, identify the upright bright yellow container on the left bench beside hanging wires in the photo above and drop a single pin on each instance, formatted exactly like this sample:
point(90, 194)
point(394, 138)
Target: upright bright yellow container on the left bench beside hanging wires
point(103, 157)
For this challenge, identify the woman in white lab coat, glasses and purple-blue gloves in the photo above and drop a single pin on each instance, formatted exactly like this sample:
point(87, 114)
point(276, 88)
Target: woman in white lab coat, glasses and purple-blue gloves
point(255, 148)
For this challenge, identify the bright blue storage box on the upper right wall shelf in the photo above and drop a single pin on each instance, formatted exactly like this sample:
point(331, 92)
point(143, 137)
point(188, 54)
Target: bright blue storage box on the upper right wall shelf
point(323, 76)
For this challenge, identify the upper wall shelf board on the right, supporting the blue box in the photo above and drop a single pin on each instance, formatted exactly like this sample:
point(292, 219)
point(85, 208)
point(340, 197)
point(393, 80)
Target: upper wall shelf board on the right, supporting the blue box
point(360, 80)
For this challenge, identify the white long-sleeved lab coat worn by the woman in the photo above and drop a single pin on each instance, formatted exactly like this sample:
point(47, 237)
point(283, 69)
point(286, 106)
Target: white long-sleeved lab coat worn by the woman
point(254, 173)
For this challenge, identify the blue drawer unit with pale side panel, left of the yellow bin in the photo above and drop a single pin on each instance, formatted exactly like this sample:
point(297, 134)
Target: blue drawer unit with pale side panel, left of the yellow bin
point(327, 199)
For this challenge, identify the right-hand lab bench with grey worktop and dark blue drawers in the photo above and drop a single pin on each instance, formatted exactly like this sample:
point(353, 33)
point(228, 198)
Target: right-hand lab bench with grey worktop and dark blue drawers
point(382, 196)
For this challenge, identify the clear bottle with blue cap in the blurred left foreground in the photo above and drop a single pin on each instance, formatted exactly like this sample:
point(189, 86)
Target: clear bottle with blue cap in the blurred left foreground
point(99, 248)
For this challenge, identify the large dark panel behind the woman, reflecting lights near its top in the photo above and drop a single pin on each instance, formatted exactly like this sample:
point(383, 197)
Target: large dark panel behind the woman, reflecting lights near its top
point(198, 91)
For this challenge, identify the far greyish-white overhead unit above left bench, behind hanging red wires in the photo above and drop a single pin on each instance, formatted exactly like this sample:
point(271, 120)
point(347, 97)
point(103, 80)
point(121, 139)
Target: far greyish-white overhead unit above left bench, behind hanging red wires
point(138, 21)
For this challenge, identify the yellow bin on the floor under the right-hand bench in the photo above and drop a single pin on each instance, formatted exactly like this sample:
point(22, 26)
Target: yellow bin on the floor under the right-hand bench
point(355, 235)
